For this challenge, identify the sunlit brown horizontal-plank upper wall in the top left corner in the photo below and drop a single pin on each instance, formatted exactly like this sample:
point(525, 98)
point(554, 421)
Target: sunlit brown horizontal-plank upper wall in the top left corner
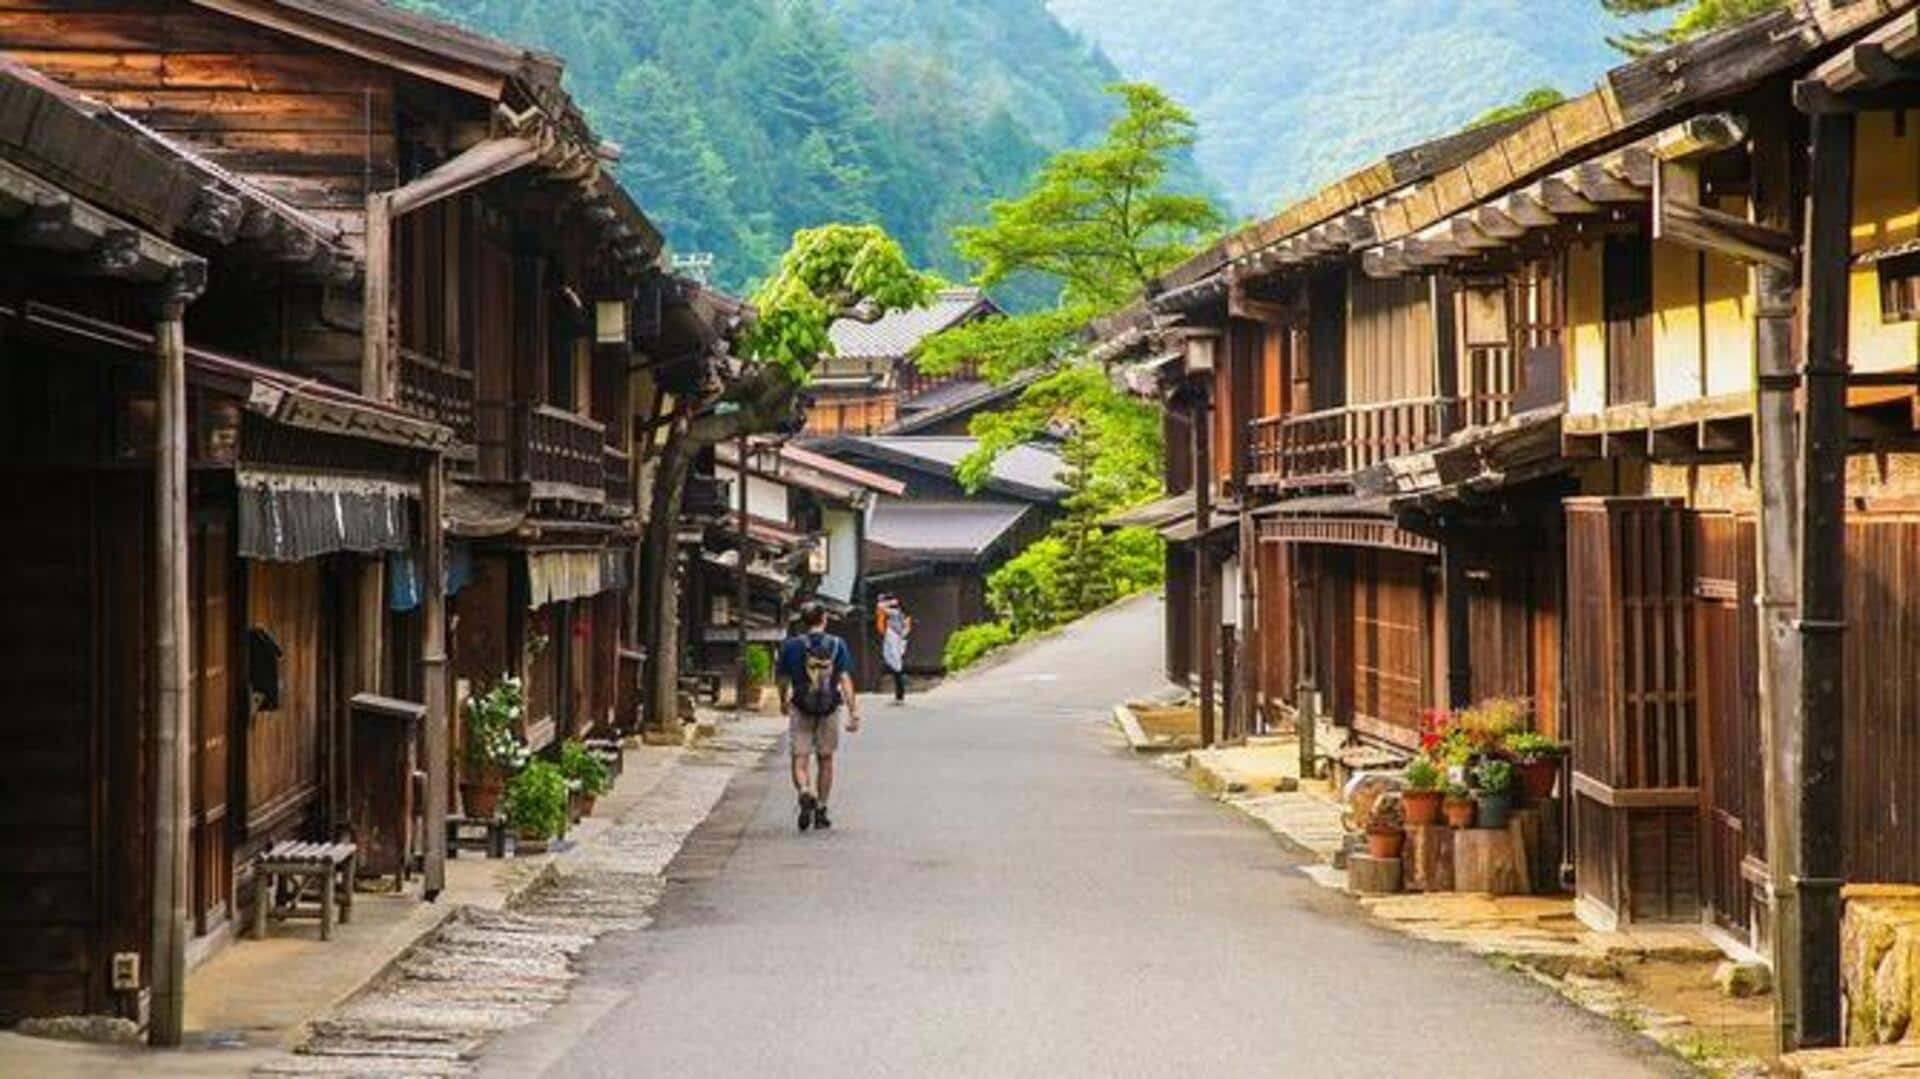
point(310, 126)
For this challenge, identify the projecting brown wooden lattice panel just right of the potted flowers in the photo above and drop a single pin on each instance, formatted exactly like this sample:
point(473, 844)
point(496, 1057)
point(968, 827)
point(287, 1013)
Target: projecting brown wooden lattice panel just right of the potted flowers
point(1633, 707)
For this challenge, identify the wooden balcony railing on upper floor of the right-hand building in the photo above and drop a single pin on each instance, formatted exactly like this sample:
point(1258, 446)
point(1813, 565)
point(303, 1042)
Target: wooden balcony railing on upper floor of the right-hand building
point(1328, 446)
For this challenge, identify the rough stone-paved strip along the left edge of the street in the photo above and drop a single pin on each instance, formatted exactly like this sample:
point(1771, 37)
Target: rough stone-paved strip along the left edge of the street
point(489, 972)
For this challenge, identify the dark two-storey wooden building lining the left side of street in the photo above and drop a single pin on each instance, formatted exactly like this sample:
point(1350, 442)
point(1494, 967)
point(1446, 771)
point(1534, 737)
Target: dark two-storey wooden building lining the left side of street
point(412, 427)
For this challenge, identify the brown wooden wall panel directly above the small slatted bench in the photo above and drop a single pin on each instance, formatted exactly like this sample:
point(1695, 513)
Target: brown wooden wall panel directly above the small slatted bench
point(283, 761)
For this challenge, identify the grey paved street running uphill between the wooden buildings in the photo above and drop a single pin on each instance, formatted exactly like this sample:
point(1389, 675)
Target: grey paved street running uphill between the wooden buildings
point(1009, 894)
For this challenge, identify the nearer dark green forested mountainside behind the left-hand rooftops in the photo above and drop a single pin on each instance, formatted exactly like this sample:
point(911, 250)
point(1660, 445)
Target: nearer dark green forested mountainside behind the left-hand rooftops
point(746, 120)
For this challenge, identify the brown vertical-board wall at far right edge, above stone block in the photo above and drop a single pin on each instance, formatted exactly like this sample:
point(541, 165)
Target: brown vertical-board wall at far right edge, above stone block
point(1883, 742)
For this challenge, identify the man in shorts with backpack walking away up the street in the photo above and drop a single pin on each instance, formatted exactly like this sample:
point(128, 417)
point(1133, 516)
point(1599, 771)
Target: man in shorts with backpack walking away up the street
point(817, 681)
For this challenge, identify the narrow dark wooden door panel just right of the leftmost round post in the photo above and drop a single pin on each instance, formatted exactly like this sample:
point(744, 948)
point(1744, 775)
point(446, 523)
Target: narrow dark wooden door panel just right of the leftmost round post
point(214, 715)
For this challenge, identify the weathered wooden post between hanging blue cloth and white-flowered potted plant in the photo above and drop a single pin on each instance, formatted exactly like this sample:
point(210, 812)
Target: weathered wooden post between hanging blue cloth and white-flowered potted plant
point(435, 673)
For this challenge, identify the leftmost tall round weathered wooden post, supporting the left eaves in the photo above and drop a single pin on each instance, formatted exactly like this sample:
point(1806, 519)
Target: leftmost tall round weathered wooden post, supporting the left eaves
point(174, 706)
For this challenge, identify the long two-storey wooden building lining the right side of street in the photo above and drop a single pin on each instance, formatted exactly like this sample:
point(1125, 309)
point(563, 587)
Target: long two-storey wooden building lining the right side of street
point(1612, 408)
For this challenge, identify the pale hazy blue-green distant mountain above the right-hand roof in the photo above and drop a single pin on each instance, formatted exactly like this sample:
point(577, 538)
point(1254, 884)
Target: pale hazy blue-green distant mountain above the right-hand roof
point(1297, 93)
